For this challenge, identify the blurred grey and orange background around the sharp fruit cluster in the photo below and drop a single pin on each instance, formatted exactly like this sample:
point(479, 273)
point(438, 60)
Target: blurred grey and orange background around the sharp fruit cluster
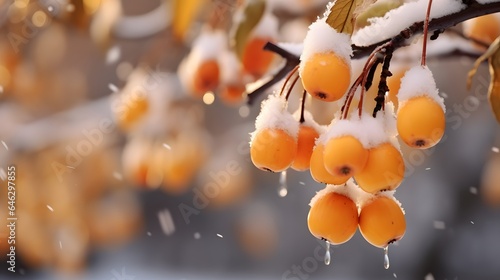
point(122, 172)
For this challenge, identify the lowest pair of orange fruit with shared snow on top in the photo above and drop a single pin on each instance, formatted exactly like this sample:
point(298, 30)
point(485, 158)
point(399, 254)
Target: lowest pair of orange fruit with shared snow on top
point(337, 211)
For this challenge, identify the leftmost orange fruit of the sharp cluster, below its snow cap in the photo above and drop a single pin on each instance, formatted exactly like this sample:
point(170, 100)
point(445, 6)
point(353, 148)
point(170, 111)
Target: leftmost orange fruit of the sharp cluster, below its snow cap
point(273, 149)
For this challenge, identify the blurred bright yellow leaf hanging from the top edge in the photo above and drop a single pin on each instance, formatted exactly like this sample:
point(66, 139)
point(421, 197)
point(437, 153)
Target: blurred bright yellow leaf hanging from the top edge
point(185, 12)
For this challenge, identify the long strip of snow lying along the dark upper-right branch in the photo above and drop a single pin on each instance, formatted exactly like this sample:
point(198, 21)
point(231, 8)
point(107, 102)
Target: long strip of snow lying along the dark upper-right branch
point(400, 18)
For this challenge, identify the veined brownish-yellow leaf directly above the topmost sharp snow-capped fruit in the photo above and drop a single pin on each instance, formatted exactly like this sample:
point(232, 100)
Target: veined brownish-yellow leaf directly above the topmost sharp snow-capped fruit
point(341, 15)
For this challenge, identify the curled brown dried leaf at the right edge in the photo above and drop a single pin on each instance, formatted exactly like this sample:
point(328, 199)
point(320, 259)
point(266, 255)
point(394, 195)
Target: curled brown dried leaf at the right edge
point(493, 56)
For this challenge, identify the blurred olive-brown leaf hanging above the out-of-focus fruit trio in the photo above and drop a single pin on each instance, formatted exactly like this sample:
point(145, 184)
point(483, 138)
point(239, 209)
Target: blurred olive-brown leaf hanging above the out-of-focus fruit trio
point(252, 14)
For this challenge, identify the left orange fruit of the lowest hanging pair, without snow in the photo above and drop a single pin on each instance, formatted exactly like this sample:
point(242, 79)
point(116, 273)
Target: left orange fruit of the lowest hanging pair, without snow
point(333, 217)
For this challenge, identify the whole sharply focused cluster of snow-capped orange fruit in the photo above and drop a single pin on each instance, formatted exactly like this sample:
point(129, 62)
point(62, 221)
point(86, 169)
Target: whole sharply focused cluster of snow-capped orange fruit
point(358, 157)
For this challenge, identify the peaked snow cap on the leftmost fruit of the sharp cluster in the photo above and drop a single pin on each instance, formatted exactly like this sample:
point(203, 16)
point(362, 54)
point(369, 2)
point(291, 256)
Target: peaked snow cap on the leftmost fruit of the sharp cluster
point(274, 114)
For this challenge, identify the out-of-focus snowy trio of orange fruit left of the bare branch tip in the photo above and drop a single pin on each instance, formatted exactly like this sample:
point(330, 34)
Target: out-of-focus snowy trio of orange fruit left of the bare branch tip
point(211, 66)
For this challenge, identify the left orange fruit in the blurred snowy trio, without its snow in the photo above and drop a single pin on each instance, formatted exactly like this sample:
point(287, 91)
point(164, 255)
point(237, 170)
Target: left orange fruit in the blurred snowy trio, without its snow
point(206, 77)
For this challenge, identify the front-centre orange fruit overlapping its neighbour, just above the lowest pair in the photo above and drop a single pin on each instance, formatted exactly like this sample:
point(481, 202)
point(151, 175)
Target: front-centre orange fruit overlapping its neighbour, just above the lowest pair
point(344, 156)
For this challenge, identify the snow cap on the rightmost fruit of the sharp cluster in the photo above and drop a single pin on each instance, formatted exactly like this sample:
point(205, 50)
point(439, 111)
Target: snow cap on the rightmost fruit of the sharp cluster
point(419, 81)
